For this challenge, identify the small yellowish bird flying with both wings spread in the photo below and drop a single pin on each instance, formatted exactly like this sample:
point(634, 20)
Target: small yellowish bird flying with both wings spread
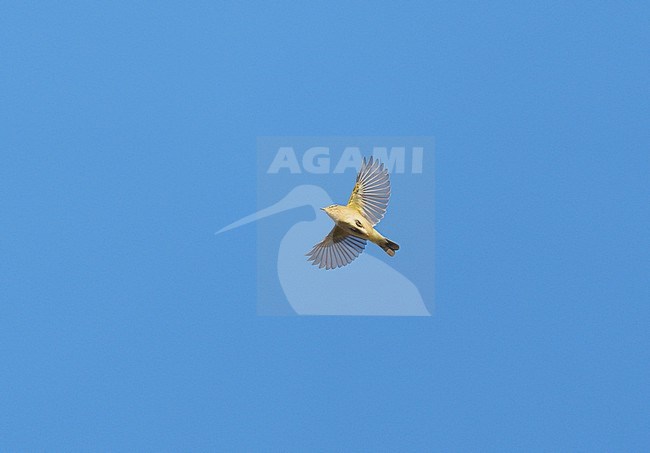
point(354, 223)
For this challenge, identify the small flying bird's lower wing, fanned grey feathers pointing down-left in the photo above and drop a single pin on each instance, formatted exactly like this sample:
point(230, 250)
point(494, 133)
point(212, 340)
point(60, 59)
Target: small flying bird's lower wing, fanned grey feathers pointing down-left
point(336, 250)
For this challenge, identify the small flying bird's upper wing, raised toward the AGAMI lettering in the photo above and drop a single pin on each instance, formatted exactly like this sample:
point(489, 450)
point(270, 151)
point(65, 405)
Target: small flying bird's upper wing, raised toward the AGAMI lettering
point(372, 191)
